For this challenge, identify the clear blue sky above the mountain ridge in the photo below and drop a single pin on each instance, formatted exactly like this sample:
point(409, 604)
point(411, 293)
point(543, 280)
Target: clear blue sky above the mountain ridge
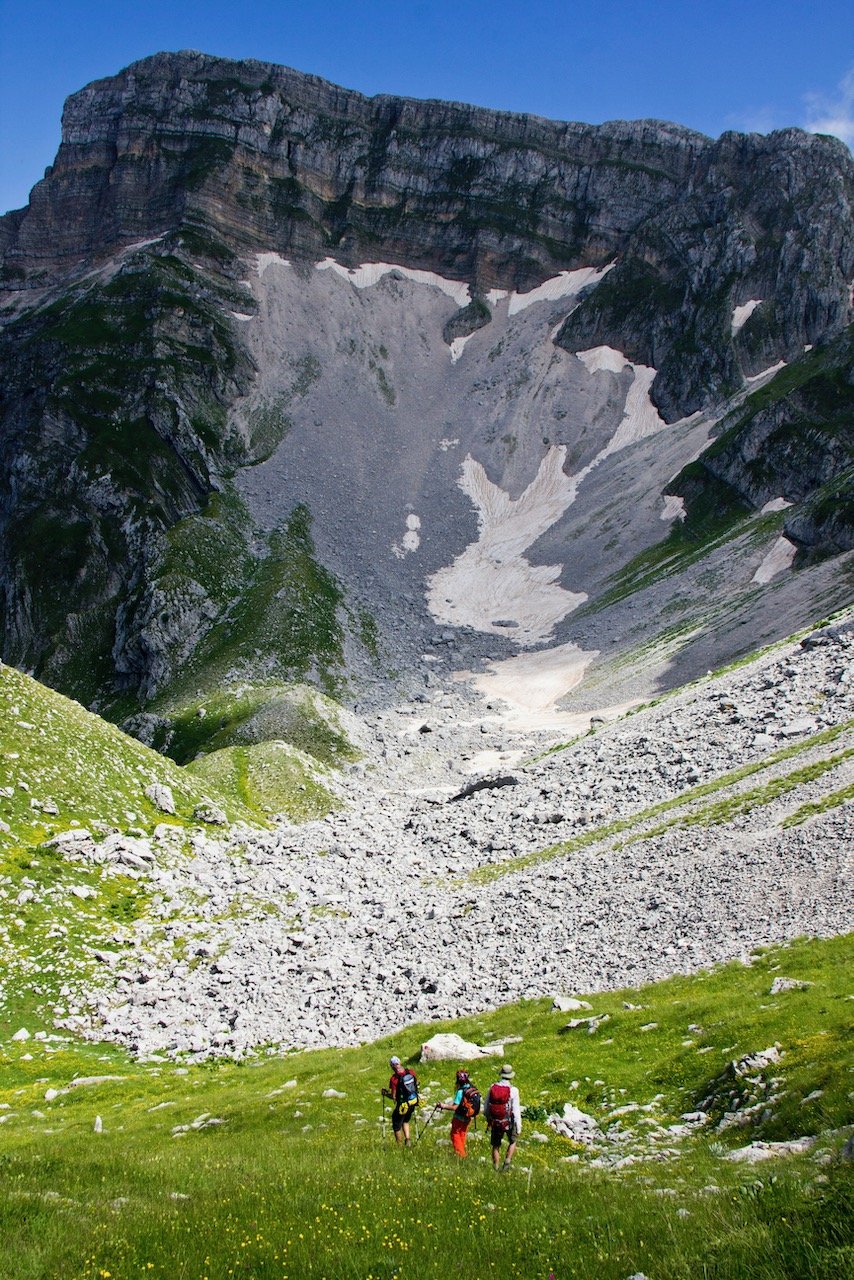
point(747, 66)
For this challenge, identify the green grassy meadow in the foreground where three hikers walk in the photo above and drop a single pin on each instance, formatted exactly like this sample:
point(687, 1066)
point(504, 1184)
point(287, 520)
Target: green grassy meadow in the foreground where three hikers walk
point(248, 1171)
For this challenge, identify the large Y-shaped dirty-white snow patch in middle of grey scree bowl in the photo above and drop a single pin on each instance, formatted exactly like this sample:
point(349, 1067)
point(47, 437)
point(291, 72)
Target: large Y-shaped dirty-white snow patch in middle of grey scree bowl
point(492, 582)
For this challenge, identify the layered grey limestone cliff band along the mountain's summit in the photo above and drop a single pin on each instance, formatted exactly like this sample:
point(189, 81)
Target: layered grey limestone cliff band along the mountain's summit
point(273, 159)
